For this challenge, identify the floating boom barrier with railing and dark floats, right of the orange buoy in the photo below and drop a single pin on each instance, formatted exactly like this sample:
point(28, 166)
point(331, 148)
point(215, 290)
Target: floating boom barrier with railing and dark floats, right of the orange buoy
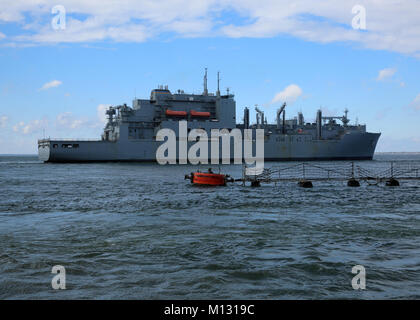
point(304, 173)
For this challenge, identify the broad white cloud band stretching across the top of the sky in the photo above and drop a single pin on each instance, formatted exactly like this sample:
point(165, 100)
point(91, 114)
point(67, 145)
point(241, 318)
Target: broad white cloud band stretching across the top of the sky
point(391, 24)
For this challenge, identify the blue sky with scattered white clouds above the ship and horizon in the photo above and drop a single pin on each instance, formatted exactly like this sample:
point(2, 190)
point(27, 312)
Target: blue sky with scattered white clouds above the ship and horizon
point(58, 82)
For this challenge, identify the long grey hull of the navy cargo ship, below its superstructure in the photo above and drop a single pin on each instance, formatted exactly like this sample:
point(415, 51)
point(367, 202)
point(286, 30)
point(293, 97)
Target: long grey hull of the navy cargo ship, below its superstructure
point(354, 146)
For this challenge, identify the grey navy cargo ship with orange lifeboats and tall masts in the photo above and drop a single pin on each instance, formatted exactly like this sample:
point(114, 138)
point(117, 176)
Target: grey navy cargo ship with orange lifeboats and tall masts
point(130, 134)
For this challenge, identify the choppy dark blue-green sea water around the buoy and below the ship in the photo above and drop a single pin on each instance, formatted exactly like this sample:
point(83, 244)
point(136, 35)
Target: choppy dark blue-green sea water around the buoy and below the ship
point(140, 231)
